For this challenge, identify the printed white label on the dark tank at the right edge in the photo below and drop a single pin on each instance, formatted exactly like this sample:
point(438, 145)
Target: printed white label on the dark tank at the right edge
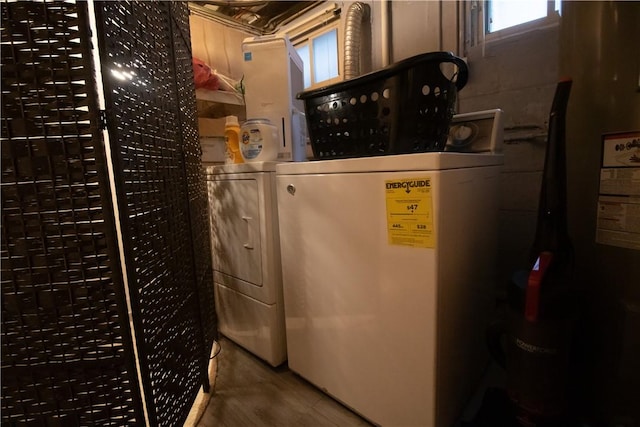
point(618, 221)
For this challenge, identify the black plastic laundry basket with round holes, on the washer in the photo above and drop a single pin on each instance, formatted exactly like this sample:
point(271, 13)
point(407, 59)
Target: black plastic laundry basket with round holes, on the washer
point(404, 108)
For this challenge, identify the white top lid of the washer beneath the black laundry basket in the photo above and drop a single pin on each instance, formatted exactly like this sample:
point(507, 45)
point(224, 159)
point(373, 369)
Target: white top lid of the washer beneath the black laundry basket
point(392, 163)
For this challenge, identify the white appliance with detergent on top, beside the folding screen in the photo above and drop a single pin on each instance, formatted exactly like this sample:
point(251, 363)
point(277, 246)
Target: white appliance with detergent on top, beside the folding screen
point(245, 245)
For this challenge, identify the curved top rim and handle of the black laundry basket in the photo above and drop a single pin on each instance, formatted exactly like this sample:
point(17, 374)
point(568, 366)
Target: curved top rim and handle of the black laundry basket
point(437, 57)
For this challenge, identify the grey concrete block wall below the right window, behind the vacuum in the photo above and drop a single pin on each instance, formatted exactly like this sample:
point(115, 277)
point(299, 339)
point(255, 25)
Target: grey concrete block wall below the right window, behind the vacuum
point(518, 75)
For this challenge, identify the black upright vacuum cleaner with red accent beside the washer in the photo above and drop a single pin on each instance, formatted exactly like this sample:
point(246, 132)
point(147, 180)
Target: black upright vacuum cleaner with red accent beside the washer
point(533, 343)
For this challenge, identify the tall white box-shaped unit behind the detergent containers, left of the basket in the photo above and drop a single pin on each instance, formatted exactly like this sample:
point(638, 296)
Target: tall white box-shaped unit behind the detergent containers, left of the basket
point(273, 77)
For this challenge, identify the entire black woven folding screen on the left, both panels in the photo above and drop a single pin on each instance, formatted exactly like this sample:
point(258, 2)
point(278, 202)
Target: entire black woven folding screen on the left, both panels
point(67, 337)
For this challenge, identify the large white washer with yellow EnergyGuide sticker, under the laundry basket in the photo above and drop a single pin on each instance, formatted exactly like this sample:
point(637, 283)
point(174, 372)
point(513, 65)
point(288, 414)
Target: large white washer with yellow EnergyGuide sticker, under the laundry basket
point(389, 279)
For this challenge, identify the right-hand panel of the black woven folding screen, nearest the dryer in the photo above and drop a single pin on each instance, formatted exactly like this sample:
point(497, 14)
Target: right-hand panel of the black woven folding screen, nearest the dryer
point(151, 116)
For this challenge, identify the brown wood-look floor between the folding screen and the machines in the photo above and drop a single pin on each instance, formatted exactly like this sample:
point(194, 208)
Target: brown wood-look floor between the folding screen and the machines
point(249, 392)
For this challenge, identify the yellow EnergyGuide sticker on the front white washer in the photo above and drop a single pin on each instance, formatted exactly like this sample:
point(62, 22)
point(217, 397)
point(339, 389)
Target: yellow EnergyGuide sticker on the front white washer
point(410, 212)
